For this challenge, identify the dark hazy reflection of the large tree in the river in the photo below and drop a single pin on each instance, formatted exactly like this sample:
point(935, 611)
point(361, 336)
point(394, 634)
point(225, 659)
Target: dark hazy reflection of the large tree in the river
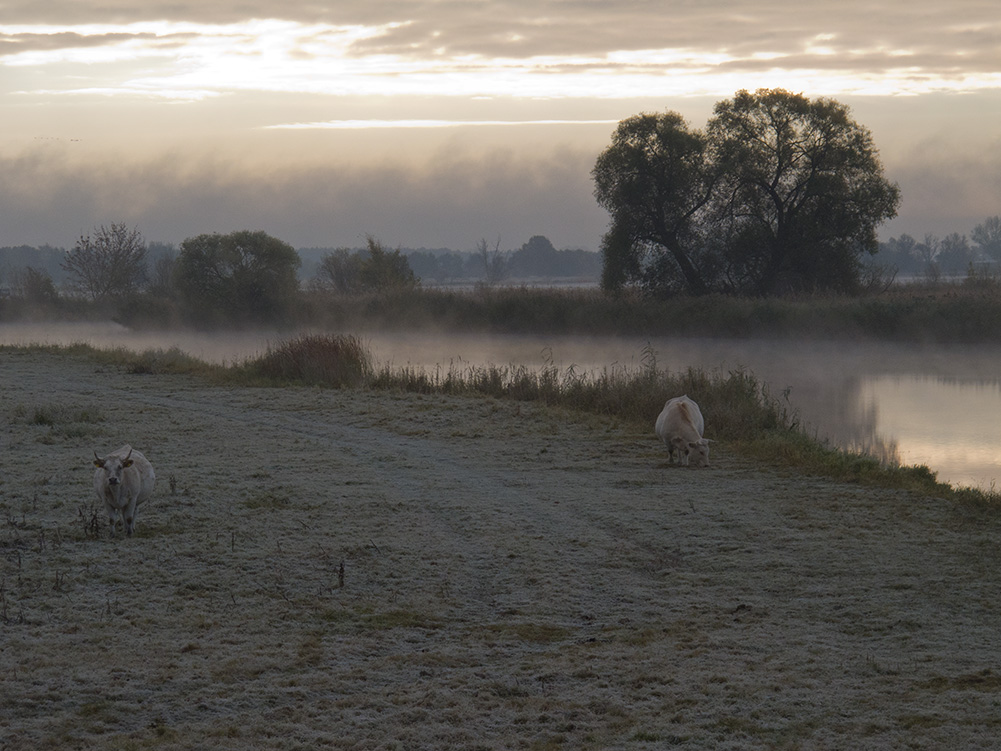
point(835, 413)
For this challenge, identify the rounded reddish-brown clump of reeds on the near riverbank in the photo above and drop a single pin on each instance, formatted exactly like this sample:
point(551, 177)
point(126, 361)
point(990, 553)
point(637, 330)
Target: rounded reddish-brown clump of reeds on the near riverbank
point(313, 360)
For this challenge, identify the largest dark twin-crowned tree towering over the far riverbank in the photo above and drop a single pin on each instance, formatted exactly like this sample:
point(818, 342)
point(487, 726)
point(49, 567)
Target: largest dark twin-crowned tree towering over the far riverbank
point(777, 194)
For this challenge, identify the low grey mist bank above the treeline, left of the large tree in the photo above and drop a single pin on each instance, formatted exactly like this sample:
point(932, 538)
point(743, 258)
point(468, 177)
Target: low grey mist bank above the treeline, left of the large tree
point(451, 201)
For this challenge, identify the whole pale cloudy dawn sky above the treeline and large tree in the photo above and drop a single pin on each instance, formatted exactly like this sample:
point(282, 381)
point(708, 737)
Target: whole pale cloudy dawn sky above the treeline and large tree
point(438, 124)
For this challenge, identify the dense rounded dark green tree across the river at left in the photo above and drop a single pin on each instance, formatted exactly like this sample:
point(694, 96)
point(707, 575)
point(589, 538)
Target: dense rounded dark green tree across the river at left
point(243, 276)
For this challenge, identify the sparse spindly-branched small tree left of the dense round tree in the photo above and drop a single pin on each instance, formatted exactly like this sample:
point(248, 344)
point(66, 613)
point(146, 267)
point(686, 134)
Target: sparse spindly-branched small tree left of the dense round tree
point(109, 266)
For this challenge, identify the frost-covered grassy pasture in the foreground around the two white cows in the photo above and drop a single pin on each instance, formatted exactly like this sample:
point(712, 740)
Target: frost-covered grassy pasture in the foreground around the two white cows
point(325, 569)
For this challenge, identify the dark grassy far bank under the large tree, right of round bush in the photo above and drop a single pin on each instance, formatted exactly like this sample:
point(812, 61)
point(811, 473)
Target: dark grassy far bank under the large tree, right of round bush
point(968, 312)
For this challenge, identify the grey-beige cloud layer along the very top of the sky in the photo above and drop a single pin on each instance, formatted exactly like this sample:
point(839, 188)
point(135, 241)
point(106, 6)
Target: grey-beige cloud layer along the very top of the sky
point(523, 29)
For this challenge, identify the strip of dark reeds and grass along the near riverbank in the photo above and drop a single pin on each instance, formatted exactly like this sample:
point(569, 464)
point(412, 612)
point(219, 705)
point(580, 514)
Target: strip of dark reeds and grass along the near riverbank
point(741, 415)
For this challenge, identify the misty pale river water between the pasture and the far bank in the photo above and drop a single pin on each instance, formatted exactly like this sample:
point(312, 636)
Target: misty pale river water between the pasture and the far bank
point(935, 406)
